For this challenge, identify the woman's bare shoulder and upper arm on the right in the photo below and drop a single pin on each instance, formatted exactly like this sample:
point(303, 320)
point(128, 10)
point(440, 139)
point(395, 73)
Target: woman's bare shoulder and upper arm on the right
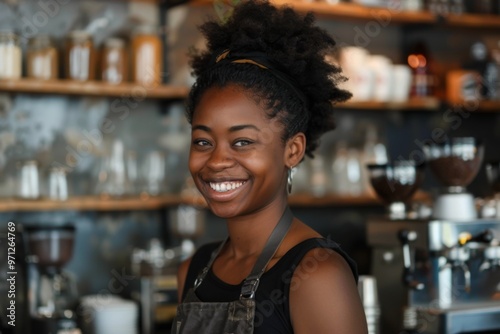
point(324, 297)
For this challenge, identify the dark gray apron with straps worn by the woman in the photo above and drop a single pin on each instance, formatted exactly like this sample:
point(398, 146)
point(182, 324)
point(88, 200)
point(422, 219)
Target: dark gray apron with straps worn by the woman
point(236, 317)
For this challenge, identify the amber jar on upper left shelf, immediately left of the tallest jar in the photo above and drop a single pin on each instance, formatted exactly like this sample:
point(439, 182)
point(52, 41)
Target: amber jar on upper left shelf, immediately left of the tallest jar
point(114, 62)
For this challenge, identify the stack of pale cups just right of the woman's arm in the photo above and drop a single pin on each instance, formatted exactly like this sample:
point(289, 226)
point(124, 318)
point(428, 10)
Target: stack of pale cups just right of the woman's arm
point(367, 288)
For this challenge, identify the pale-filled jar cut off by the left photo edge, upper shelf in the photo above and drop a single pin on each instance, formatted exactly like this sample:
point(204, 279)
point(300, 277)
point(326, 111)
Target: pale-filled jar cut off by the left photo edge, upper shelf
point(10, 56)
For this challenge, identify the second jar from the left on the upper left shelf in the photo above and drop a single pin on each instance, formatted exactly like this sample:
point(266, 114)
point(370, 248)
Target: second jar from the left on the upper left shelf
point(42, 58)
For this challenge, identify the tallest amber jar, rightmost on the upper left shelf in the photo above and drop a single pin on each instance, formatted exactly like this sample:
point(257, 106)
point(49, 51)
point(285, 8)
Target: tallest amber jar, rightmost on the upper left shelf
point(147, 56)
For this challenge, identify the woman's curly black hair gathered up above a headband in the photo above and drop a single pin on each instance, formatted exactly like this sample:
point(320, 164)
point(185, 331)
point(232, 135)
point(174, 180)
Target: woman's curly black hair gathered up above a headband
point(295, 46)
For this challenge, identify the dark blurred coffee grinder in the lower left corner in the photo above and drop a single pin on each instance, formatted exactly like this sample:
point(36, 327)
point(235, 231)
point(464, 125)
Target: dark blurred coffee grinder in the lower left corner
point(52, 291)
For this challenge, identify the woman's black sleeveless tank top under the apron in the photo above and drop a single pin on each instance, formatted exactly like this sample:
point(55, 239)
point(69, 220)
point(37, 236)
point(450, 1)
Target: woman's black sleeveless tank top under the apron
point(272, 313)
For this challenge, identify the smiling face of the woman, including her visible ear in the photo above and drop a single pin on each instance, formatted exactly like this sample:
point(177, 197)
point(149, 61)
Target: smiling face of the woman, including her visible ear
point(238, 159)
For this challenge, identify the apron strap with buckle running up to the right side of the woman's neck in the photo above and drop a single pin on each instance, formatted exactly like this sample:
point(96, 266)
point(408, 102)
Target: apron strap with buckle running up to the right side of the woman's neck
point(251, 283)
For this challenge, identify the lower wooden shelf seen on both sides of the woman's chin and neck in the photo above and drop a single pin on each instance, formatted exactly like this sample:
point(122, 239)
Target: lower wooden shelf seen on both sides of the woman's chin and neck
point(96, 203)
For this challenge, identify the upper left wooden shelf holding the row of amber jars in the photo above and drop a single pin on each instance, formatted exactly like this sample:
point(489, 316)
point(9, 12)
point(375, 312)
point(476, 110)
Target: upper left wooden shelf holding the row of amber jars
point(92, 88)
